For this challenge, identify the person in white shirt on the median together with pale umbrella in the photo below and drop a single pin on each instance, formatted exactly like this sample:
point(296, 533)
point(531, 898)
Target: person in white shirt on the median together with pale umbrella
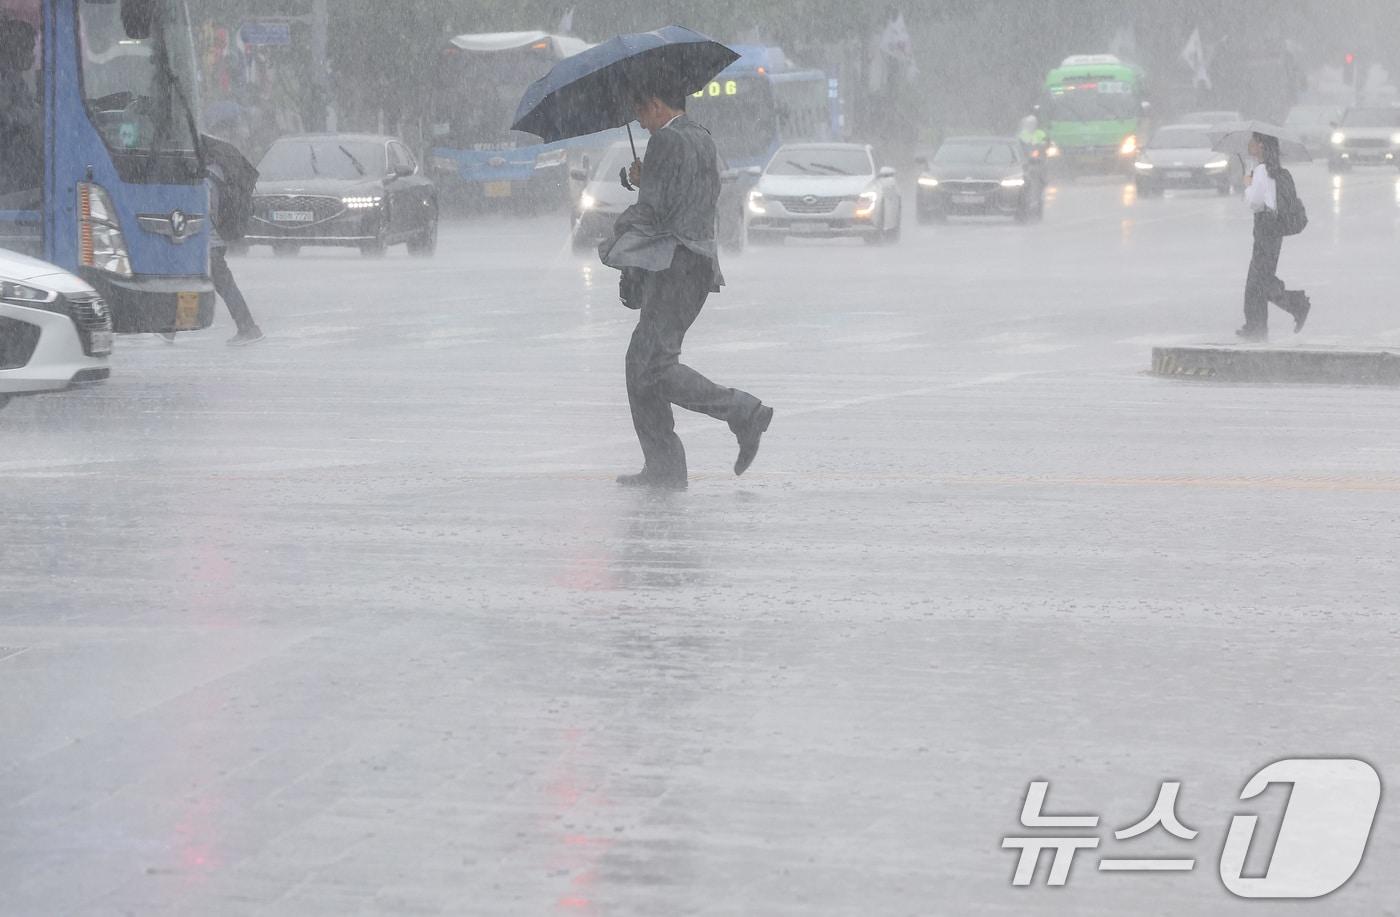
point(1273, 197)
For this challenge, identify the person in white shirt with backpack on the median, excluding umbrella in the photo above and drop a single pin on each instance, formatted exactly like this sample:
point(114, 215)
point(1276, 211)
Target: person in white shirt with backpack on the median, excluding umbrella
point(1262, 192)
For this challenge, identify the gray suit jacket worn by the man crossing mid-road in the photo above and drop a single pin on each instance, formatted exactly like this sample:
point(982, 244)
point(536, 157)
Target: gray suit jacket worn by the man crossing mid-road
point(677, 205)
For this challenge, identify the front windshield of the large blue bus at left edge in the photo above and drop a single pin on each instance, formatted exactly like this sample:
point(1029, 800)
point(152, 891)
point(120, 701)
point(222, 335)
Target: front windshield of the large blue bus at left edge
point(139, 76)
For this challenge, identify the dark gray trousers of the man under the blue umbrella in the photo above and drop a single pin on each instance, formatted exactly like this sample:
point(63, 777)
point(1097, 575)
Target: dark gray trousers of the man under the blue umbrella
point(656, 377)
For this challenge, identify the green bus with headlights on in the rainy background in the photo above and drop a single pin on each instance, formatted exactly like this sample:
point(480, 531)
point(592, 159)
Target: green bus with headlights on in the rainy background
point(1095, 111)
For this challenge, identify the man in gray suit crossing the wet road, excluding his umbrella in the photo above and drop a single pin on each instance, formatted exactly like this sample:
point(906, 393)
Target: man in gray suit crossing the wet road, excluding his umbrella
point(666, 248)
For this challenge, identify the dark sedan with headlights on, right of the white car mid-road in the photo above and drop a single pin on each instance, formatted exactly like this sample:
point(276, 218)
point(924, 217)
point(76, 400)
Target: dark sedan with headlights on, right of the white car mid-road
point(981, 177)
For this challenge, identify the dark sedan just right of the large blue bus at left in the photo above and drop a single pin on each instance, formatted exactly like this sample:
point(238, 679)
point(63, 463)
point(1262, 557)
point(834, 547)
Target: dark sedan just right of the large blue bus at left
point(359, 191)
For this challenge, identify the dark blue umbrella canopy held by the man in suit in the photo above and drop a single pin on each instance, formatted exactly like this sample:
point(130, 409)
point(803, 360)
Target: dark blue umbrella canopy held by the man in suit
point(590, 92)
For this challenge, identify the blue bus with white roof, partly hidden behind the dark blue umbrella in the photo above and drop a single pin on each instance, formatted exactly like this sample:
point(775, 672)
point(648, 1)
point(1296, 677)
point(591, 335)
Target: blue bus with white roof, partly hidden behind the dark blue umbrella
point(475, 156)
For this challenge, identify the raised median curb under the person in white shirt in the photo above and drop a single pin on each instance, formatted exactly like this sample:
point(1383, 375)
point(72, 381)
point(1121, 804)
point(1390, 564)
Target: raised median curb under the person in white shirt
point(1318, 366)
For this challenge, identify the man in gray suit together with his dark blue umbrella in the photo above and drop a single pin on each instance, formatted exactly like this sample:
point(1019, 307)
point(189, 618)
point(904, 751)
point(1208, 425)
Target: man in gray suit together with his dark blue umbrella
point(666, 243)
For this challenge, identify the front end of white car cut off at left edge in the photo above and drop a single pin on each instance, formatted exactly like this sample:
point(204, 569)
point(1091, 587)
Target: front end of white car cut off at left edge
point(55, 330)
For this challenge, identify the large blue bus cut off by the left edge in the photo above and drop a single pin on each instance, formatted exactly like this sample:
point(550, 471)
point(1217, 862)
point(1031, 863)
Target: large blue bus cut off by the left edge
point(100, 162)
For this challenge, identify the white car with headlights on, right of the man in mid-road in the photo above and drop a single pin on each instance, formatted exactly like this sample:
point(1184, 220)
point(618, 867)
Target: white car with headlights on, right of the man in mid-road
point(825, 190)
